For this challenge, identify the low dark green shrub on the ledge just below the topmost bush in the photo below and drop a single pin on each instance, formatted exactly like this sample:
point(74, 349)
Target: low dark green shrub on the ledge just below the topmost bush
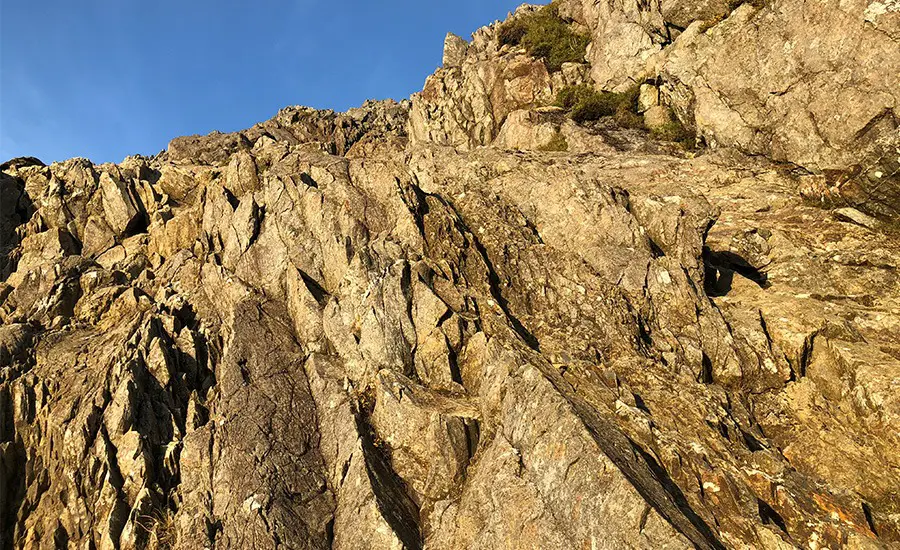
point(584, 103)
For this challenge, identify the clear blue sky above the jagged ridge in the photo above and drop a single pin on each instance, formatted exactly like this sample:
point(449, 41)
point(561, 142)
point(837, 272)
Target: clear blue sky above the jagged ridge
point(104, 79)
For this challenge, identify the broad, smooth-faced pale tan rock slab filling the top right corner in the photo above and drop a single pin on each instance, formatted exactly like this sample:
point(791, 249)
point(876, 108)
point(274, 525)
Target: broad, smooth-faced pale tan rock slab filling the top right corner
point(812, 83)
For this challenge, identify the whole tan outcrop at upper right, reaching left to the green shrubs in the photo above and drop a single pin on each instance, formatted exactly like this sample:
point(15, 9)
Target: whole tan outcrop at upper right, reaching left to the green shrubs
point(811, 83)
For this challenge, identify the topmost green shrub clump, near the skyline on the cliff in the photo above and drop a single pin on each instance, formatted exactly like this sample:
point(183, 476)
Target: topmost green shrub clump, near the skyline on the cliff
point(545, 35)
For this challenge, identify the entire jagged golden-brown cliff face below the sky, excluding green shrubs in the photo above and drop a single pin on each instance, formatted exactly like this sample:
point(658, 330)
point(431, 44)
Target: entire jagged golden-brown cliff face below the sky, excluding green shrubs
point(467, 321)
